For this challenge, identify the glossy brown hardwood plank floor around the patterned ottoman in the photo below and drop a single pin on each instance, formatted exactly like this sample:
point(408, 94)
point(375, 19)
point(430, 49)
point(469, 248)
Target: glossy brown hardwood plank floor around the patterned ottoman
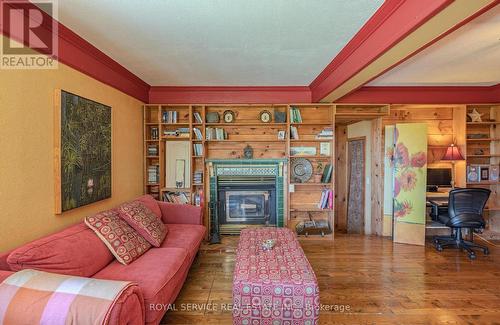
point(380, 282)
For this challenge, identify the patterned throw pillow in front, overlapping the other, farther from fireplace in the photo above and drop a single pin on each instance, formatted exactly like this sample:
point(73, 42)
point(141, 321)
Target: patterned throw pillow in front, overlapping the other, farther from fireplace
point(121, 239)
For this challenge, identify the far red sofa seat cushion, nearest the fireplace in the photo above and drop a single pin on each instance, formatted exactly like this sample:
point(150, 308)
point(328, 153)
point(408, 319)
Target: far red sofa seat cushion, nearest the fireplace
point(185, 236)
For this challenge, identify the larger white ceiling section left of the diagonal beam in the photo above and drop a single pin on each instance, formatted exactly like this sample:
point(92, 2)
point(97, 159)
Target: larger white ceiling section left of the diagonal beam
point(219, 42)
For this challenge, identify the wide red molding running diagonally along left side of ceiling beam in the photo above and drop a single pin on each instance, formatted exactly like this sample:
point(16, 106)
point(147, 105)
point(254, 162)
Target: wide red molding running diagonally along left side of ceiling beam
point(391, 23)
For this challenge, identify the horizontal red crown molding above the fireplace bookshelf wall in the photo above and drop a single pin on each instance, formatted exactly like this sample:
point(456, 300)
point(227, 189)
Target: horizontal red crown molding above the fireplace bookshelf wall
point(230, 95)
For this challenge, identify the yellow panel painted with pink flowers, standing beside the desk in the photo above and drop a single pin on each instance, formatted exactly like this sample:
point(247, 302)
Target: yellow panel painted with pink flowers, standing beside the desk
point(408, 159)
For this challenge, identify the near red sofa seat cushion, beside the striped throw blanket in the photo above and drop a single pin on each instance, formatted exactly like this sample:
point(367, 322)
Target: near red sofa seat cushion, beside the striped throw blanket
point(160, 273)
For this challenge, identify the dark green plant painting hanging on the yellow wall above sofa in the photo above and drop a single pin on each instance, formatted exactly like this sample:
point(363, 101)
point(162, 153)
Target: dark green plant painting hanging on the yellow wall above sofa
point(82, 146)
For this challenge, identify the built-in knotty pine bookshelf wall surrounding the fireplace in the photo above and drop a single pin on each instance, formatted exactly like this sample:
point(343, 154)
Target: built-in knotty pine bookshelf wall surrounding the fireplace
point(247, 129)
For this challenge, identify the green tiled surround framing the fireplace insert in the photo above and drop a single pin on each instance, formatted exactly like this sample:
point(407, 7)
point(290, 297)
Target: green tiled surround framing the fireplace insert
point(251, 167)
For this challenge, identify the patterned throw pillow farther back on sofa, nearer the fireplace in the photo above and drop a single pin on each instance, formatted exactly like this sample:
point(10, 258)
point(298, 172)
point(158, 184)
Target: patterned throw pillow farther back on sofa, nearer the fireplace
point(144, 221)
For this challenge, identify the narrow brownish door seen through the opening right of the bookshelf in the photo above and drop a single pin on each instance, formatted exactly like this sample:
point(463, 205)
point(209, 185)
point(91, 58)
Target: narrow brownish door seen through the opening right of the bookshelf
point(356, 156)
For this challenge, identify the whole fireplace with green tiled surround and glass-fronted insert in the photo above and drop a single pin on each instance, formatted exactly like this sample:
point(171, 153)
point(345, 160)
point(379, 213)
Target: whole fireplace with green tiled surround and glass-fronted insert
point(245, 193)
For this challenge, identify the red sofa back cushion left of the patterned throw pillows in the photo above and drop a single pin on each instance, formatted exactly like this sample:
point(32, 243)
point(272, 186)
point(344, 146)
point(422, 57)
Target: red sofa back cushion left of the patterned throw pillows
point(73, 251)
